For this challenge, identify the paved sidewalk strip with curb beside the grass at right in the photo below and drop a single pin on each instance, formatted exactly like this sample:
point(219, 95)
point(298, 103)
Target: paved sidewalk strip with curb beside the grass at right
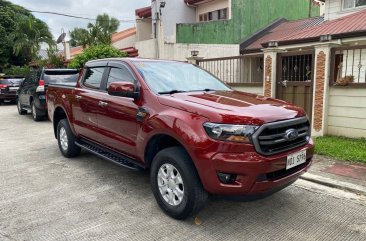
point(344, 175)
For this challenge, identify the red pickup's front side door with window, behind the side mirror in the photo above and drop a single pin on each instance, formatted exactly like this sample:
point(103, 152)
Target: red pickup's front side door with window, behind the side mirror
point(117, 117)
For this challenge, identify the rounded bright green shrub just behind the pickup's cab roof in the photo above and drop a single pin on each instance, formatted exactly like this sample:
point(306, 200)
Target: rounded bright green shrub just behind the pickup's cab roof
point(95, 52)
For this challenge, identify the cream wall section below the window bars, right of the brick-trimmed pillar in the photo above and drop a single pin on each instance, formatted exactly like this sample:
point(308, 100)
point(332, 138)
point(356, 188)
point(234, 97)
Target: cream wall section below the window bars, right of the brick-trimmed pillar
point(347, 112)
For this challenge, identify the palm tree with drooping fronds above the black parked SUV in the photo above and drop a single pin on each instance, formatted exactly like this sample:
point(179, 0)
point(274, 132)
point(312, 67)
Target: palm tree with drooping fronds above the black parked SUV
point(30, 33)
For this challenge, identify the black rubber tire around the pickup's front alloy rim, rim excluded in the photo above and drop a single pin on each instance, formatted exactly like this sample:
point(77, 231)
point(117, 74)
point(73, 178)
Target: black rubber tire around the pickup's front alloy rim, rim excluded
point(194, 195)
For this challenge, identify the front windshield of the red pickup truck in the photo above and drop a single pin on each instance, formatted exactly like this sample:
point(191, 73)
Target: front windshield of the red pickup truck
point(174, 77)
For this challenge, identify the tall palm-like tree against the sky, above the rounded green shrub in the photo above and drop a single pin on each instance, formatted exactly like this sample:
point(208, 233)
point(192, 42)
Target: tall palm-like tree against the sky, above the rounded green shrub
point(96, 33)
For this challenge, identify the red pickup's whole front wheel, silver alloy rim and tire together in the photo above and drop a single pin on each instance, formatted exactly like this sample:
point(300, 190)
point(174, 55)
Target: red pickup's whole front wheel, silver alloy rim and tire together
point(176, 184)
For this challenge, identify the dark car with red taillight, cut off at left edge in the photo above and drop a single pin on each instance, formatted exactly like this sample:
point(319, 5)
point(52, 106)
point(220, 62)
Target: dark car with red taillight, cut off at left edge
point(8, 87)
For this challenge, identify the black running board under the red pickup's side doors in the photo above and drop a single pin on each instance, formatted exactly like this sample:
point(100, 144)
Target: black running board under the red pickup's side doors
point(109, 155)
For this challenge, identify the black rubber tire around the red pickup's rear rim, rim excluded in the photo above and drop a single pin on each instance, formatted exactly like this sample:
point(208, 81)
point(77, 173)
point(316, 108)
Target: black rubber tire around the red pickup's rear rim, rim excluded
point(72, 149)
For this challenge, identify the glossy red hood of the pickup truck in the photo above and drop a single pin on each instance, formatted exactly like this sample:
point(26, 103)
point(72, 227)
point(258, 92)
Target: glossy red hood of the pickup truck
point(232, 107)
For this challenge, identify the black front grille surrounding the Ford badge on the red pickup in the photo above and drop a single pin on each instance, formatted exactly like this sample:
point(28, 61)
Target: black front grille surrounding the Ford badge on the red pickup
point(271, 138)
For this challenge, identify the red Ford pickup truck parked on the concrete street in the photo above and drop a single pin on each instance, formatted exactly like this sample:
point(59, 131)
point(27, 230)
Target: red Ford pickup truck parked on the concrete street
point(195, 134)
